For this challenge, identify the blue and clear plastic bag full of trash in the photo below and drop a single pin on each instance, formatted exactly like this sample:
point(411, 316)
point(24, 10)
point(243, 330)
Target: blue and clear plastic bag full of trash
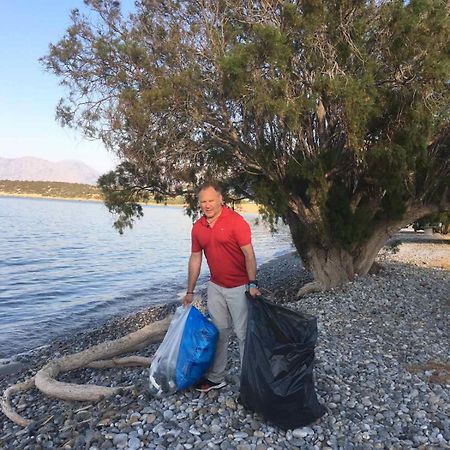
point(185, 354)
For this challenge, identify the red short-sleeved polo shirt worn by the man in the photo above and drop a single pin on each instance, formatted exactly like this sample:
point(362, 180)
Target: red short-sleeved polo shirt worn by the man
point(222, 247)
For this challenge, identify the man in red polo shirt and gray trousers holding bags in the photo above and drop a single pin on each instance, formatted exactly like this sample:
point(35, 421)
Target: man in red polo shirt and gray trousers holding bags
point(225, 239)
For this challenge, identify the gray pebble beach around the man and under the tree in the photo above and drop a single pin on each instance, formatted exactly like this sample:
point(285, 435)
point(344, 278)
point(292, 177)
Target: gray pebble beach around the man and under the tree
point(382, 371)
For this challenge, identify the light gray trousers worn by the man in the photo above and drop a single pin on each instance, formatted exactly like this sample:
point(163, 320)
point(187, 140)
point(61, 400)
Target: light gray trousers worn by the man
point(226, 306)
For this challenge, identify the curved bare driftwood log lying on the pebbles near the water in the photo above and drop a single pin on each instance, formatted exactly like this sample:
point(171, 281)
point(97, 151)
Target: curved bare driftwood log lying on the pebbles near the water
point(99, 356)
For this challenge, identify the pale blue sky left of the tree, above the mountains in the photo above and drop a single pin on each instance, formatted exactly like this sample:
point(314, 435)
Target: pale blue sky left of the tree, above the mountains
point(28, 95)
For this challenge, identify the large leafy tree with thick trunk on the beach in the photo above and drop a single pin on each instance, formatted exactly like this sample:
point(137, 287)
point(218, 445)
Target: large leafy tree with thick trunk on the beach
point(333, 115)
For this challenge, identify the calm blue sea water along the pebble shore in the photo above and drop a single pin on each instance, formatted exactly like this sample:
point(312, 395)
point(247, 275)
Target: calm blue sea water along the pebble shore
point(63, 266)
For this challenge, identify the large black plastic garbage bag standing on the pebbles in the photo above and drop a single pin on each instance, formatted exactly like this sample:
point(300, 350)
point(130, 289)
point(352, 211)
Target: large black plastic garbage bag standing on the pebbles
point(277, 370)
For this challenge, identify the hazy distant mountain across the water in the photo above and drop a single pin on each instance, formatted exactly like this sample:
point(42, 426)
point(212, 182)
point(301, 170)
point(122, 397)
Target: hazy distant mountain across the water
point(29, 168)
